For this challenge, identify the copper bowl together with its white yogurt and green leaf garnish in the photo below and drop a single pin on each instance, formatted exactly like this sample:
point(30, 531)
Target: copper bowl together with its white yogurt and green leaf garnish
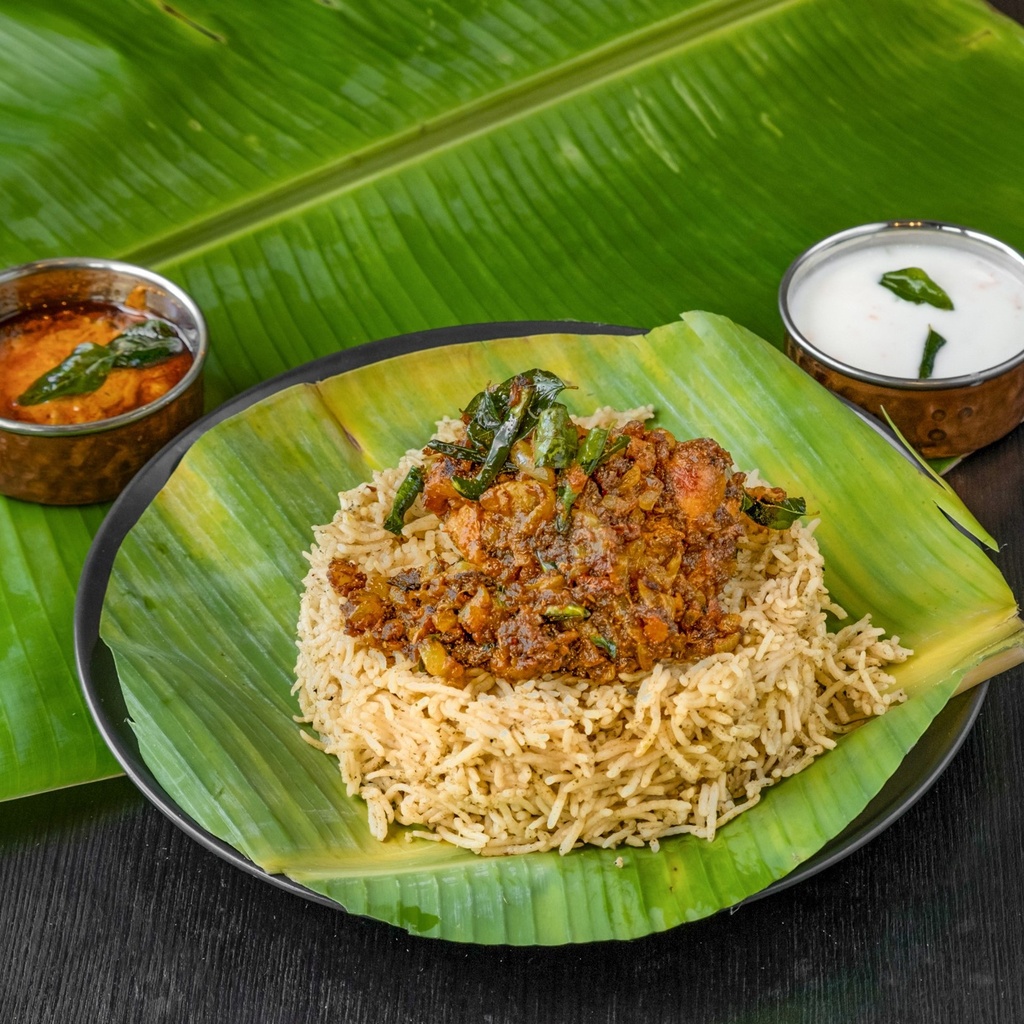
point(921, 322)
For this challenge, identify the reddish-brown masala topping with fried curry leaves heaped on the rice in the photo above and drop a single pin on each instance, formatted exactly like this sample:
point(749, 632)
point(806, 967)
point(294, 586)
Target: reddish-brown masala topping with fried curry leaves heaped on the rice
point(593, 553)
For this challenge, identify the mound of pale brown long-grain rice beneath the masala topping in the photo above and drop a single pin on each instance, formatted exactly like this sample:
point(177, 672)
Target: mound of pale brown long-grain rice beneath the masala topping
point(558, 762)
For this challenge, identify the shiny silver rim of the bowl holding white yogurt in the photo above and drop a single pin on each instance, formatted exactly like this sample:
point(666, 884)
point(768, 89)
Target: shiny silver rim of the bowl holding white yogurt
point(854, 235)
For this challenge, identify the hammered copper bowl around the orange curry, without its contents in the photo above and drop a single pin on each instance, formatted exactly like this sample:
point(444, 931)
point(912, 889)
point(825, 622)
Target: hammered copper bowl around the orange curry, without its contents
point(79, 464)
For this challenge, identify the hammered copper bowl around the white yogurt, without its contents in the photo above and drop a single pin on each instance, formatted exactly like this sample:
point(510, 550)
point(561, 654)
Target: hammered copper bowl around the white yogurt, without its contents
point(940, 417)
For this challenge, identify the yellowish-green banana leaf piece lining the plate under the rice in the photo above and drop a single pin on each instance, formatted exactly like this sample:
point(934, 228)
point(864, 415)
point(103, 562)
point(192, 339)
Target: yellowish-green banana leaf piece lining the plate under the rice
point(222, 544)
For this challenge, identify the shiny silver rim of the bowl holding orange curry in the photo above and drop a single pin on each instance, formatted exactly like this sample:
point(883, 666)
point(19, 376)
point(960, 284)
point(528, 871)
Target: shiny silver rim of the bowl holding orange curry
point(199, 350)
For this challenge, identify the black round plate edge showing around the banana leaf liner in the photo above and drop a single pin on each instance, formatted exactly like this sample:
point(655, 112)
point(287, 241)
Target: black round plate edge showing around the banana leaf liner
point(919, 772)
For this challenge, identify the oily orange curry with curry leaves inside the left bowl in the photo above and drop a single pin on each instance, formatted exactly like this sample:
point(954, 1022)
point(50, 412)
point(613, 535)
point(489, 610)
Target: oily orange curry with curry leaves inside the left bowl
point(80, 363)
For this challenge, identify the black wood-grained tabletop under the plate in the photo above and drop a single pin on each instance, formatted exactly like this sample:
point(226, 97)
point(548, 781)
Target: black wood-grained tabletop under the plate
point(109, 913)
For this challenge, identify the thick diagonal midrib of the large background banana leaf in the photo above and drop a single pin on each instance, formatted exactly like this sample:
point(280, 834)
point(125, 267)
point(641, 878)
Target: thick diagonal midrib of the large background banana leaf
point(587, 71)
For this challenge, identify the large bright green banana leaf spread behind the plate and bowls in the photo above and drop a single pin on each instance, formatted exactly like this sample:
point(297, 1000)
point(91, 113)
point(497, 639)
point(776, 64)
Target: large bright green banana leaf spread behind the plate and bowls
point(322, 175)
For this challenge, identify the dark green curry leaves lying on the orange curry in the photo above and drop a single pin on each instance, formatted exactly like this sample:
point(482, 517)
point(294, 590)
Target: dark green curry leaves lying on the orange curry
point(90, 365)
